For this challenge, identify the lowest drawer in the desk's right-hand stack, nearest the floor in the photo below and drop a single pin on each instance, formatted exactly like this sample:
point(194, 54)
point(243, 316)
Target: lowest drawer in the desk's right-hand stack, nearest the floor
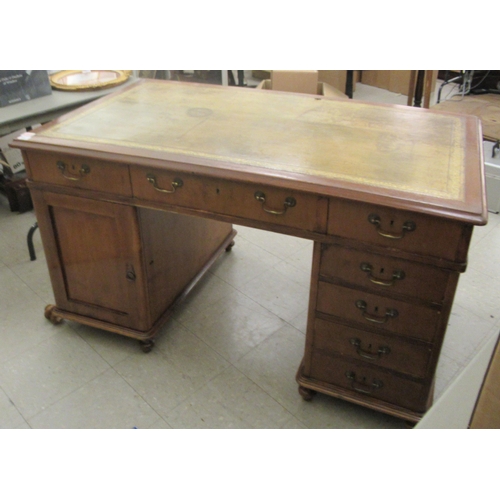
point(365, 380)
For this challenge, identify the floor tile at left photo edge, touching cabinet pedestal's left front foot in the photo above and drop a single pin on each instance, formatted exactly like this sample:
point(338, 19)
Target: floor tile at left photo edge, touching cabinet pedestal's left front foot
point(54, 368)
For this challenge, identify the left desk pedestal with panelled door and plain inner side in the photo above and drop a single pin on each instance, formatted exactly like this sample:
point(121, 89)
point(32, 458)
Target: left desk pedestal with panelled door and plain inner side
point(123, 268)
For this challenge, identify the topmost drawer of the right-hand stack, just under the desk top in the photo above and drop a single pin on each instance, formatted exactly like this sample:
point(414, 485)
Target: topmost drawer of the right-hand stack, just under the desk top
point(406, 231)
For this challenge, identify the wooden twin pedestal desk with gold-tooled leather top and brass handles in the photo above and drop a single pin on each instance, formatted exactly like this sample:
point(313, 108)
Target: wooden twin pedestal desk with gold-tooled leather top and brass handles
point(135, 195)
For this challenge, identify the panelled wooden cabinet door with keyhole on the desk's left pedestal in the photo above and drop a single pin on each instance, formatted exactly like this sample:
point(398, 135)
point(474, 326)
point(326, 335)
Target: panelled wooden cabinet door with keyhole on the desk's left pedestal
point(98, 271)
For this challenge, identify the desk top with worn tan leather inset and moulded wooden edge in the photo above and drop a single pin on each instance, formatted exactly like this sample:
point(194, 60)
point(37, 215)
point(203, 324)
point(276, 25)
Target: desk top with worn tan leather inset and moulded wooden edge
point(408, 157)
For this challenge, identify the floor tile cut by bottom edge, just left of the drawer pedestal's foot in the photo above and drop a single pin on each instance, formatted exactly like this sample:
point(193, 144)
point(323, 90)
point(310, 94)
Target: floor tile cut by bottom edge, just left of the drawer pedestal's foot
point(231, 401)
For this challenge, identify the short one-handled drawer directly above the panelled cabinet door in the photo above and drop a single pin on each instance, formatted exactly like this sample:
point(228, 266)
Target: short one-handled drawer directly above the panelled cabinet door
point(80, 172)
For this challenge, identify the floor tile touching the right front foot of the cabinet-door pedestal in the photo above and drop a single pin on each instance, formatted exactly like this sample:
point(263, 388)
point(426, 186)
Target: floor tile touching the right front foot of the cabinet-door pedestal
point(179, 365)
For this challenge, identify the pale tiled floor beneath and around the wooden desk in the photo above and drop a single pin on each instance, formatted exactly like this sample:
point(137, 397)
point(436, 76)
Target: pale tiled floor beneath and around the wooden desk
point(228, 357)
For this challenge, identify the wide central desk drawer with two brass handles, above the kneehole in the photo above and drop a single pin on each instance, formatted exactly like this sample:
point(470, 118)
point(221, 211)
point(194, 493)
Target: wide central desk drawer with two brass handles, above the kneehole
point(242, 200)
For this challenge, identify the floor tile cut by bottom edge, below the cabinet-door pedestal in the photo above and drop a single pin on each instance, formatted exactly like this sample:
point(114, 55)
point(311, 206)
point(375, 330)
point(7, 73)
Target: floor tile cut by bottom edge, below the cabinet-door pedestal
point(106, 402)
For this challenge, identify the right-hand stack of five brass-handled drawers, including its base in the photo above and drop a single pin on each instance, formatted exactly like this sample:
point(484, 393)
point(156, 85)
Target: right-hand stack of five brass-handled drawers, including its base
point(381, 295)
